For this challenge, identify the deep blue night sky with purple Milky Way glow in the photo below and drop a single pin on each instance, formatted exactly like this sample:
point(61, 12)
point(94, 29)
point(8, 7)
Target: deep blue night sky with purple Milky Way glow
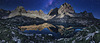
point(45, 5)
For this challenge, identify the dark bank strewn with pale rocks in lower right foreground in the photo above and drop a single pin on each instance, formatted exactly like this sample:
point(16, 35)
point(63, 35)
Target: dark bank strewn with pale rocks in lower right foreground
point(89, 34)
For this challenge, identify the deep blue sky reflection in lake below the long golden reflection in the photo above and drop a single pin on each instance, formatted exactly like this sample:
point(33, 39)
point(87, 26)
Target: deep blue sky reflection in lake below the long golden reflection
point(44, 31)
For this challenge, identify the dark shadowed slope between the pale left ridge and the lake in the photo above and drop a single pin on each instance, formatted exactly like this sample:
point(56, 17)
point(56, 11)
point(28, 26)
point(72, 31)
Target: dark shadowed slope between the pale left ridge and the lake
point(23, 20)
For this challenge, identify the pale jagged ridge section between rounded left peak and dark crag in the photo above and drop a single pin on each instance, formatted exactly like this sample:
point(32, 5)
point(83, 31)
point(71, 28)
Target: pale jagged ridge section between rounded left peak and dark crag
point(39, 14)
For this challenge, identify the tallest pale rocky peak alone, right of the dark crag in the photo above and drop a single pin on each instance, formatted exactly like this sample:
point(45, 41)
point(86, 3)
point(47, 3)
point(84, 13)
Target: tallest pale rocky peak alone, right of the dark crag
point(66, 9)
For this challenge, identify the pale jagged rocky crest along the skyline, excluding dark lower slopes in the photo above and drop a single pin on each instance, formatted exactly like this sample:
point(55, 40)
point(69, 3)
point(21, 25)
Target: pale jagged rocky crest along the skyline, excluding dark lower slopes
point(64, 10)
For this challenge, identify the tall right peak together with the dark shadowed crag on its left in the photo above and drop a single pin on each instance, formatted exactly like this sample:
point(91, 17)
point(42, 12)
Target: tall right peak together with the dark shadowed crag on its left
point(65, 9)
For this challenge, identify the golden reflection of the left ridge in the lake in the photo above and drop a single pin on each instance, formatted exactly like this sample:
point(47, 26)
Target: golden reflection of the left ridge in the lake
point(37, 27)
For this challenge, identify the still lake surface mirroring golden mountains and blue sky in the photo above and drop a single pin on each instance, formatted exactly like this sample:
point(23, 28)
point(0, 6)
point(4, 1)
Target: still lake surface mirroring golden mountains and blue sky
point(46, 28)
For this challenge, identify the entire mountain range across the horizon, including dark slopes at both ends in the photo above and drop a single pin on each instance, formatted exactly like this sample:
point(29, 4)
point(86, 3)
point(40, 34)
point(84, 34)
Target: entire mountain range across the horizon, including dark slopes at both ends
point(64, 14)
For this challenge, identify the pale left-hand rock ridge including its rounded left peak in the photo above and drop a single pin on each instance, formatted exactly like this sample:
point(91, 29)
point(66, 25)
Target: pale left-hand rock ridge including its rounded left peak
point(32, 14)
